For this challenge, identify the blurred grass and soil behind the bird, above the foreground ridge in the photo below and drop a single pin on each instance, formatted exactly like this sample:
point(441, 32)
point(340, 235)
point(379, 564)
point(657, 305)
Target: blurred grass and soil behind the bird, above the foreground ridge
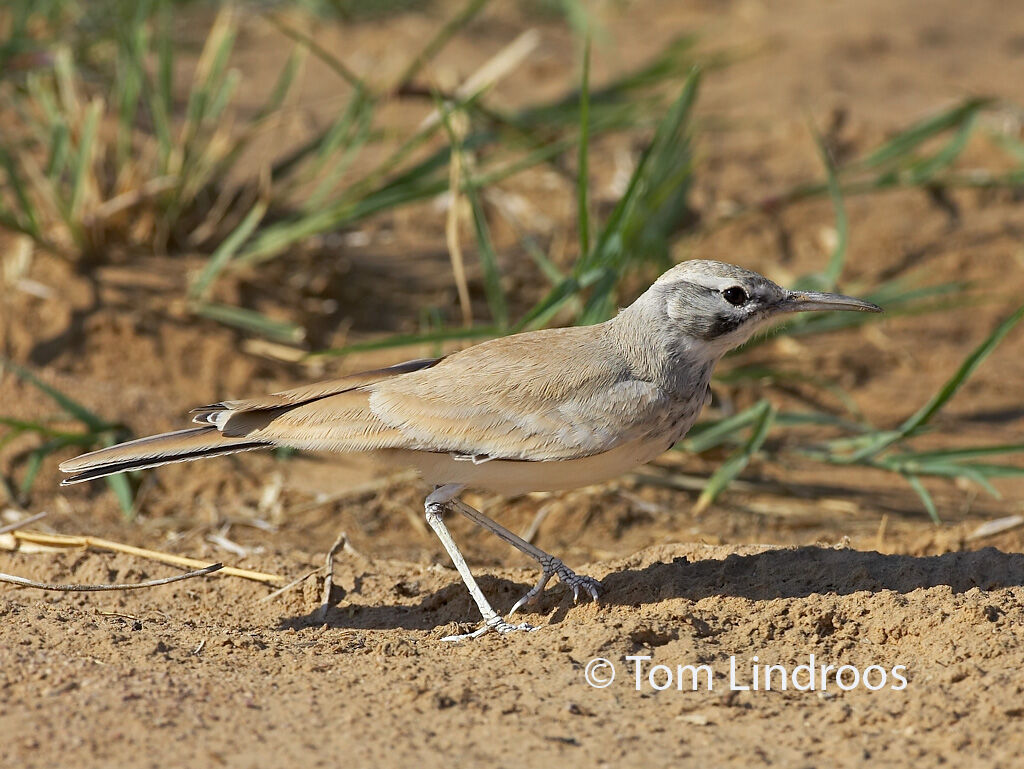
point(203, 201)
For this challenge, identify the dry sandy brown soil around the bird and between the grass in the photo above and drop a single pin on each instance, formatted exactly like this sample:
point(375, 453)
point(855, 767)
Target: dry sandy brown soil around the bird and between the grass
point(797, 562)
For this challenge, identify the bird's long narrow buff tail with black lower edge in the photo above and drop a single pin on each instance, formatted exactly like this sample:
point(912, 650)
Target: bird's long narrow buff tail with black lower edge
point(198, 443)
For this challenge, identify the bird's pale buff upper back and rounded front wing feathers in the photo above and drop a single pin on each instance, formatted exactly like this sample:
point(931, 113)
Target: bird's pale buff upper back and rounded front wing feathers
point(513, 399)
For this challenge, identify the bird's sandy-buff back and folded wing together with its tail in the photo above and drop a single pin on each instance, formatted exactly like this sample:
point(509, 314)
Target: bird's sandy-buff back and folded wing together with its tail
point(509, 399)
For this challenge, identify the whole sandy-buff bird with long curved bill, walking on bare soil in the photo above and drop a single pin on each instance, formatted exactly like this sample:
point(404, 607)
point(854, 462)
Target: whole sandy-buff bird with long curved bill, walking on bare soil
point(539, 411)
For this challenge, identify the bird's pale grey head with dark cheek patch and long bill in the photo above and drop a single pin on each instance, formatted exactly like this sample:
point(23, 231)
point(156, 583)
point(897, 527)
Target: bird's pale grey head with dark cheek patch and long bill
point(720, 307)
